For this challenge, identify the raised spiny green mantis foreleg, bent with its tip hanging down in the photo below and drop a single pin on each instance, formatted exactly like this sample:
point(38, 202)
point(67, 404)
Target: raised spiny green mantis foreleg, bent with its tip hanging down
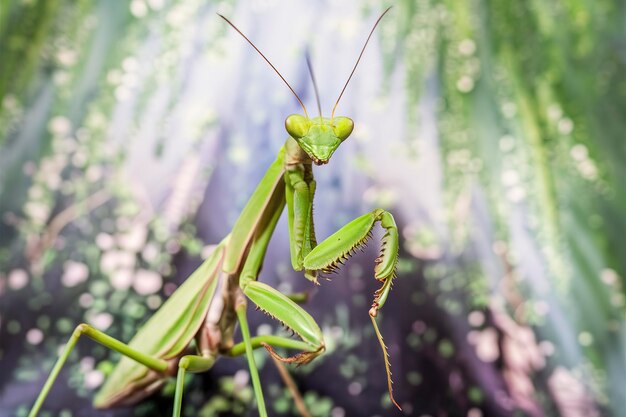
point(335, 249)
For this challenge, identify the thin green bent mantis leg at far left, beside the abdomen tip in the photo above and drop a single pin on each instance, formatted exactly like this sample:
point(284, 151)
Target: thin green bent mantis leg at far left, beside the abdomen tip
point(84, 329)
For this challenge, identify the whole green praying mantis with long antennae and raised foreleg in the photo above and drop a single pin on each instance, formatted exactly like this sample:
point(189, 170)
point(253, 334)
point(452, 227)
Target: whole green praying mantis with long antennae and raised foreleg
point(195, 326)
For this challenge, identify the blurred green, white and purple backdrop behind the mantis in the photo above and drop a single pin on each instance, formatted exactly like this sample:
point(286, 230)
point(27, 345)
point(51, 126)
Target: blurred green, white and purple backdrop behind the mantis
point(133, 132)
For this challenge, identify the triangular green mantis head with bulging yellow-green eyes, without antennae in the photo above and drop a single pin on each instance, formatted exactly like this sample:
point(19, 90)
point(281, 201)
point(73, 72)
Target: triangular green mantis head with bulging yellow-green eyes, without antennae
point(319, 137)
